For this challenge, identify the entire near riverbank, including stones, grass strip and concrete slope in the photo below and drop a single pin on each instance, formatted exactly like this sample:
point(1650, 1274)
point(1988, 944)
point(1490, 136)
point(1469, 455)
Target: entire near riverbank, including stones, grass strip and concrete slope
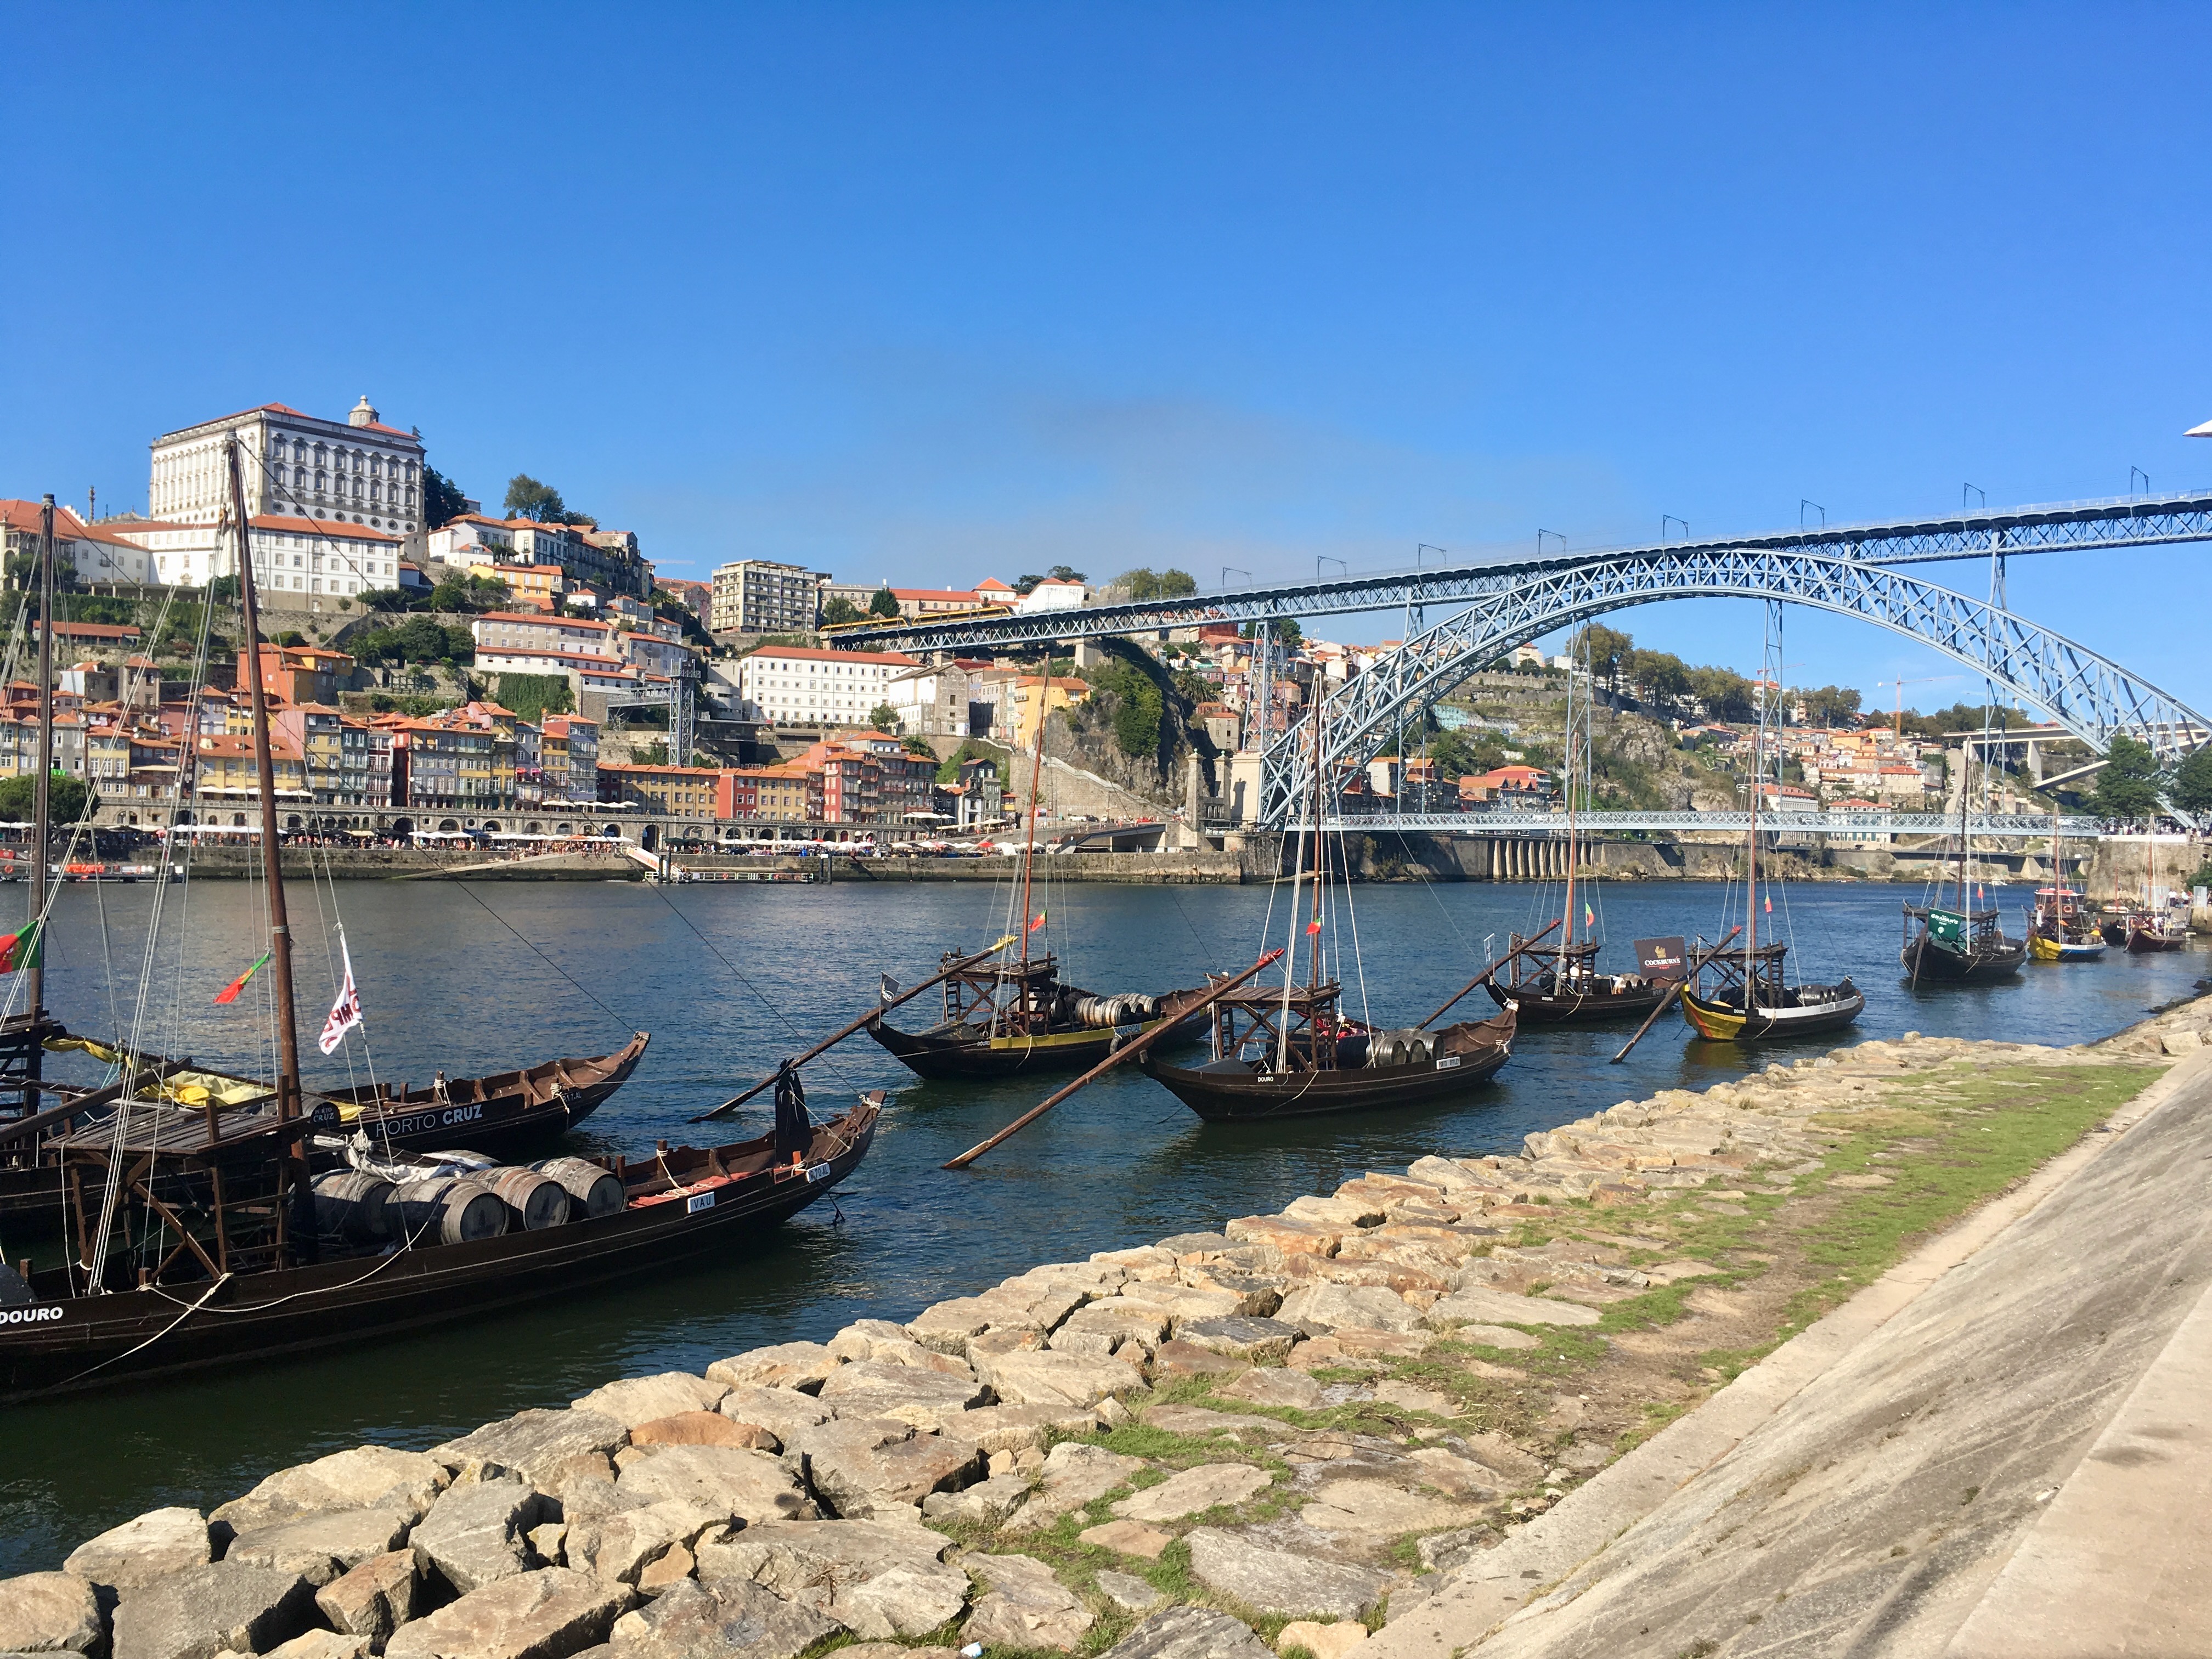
point(1890, 1350)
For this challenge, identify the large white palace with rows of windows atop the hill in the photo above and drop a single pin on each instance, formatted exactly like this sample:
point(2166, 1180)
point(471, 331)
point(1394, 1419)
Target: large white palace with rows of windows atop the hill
point(331, 501)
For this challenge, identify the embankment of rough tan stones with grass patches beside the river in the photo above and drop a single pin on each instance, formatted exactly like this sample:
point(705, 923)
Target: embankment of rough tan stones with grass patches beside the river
point(1211, 1448)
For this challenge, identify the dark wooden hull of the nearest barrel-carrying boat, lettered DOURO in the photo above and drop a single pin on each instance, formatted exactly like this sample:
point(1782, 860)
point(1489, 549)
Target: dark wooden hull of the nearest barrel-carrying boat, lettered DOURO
point(76, 1344)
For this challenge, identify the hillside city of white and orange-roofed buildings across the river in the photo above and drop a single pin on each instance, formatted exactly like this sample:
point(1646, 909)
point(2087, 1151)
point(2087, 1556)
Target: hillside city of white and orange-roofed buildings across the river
point(452, 667)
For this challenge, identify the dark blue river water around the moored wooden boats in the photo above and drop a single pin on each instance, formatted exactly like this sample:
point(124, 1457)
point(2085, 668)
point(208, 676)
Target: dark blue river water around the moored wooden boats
point(729, 979)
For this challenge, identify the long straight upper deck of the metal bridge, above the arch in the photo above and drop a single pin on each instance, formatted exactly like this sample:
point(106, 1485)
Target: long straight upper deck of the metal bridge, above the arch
point(2131, 521)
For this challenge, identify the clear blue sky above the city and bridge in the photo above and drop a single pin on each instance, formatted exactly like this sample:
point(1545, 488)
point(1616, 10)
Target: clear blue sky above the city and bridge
point(941, 293)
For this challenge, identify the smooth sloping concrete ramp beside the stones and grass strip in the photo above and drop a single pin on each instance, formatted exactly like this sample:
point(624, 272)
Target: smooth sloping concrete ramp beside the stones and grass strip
point(2001, 1454)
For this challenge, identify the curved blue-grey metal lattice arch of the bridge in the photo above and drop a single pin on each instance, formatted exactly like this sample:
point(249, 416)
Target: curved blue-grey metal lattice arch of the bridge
point(2089, 696)
